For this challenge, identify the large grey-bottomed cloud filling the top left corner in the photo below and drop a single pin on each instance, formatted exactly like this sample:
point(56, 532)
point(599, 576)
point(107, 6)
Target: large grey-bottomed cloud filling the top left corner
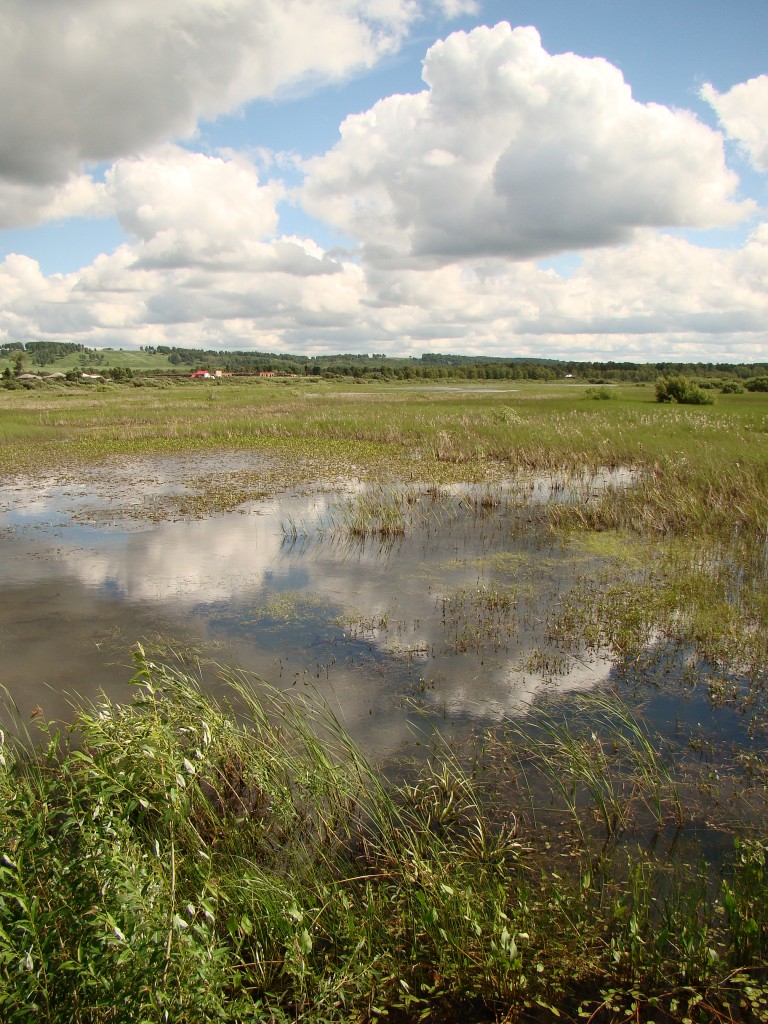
point(94, 80)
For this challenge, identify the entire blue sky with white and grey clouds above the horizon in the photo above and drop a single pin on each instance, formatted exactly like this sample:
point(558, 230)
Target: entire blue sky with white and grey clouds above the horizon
point(577, 180)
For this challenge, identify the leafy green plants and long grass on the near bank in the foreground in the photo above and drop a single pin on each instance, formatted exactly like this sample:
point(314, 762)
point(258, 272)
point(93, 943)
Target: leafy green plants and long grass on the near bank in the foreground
point(186, 864)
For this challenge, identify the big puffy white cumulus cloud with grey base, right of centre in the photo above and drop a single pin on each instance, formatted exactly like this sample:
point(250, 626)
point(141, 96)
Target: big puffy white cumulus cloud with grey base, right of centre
point(516, 153)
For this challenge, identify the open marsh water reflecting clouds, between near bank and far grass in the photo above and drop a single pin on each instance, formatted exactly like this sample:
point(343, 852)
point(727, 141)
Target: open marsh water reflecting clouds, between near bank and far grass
point(442, 627)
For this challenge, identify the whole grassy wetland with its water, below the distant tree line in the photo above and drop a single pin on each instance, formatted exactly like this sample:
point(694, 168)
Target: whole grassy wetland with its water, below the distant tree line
point(471, 680)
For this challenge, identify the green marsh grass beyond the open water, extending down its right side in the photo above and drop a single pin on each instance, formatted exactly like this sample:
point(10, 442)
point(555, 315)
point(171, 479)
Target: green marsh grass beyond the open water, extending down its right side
point(684, 548)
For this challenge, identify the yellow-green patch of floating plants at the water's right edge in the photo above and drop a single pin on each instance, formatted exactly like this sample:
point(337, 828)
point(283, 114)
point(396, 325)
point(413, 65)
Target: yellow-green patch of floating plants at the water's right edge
point(674, 601)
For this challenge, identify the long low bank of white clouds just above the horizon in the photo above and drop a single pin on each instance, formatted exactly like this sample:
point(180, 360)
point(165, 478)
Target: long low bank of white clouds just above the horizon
point(660, 298)
